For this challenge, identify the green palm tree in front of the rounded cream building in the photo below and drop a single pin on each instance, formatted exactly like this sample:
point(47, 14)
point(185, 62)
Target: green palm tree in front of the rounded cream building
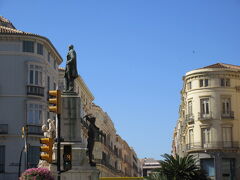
point(178, 168)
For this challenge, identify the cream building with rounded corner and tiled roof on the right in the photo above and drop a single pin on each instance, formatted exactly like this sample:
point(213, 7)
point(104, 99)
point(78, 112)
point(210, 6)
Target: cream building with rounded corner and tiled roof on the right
point(209, 120)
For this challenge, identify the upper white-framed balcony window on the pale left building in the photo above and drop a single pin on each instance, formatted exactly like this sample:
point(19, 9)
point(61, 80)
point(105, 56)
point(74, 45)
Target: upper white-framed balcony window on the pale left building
point(35, 75)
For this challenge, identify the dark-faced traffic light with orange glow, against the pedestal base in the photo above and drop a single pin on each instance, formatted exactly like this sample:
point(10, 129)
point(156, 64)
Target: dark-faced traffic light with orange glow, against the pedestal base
point(67, 157)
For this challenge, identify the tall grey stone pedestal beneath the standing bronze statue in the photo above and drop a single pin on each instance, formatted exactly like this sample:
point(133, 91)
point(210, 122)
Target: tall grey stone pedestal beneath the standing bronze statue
point(71, 133)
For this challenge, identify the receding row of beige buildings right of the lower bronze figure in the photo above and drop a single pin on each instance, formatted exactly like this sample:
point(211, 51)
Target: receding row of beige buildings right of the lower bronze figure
point(113, 155)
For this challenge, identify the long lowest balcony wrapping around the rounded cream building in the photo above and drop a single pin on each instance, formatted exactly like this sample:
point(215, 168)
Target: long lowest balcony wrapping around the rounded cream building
point(212, 145)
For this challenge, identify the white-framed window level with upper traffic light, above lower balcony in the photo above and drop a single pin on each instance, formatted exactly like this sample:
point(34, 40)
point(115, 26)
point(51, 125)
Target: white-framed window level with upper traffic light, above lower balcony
point(34, 114)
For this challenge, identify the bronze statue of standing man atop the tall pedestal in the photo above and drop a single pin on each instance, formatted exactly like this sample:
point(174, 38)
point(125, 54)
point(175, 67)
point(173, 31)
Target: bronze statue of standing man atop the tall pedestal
point(71, 69)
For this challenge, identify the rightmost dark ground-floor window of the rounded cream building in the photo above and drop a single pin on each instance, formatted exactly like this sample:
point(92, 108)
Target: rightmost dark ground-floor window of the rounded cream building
point(228, 168)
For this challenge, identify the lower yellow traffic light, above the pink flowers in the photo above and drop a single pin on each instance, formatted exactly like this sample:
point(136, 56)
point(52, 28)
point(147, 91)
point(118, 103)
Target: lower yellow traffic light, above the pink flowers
point(46, 150)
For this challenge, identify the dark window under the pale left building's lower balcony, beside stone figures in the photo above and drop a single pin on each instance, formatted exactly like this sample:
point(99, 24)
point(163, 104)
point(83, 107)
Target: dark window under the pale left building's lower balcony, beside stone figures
point(33, 156)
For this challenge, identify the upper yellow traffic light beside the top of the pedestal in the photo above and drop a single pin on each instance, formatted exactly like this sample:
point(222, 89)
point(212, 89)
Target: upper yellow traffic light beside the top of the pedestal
point(55, 100)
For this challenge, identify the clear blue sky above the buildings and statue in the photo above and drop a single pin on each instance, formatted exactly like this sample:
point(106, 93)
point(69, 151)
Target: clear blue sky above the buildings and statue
point(132, 54)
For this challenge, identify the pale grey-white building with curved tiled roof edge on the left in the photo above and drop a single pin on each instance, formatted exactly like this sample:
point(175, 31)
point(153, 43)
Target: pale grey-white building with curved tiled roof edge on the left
point(29, 68)
